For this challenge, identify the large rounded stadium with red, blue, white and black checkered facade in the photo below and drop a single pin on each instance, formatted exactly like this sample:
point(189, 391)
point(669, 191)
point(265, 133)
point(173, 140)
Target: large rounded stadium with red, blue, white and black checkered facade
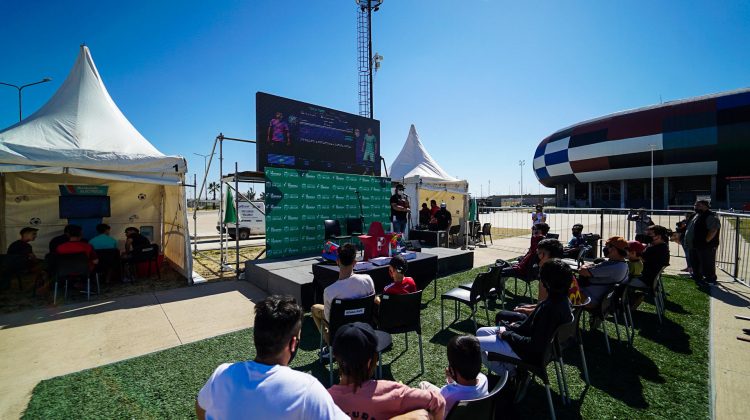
point(698, 146)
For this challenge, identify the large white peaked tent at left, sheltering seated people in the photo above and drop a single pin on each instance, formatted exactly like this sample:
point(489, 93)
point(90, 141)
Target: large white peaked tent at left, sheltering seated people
point(80, 138)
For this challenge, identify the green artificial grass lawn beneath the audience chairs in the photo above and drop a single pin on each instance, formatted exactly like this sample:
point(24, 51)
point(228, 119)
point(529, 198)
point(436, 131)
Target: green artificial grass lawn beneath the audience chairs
point(665, 375)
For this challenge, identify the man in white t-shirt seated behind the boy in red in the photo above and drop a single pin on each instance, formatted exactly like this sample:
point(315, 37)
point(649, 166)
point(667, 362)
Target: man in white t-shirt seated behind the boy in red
point(348, 286)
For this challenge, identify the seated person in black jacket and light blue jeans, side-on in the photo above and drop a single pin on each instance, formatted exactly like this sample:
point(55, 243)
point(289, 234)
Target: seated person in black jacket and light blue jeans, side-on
point(526, 337)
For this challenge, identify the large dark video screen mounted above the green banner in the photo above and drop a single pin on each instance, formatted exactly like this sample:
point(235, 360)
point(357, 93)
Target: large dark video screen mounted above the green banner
point(298, 135)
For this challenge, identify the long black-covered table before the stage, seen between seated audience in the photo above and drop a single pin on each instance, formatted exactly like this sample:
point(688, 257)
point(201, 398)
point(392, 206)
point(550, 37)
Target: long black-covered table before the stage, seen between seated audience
point(422, 269)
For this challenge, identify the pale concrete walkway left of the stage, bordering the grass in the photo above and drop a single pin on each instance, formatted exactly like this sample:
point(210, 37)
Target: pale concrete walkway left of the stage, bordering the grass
point(41, 344)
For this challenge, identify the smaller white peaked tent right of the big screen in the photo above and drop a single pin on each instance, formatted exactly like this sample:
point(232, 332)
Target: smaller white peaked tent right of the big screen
point(425, 180)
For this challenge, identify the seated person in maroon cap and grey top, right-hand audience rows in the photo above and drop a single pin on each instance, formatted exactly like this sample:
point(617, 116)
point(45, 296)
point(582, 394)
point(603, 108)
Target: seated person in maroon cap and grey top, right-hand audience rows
point(598, 279)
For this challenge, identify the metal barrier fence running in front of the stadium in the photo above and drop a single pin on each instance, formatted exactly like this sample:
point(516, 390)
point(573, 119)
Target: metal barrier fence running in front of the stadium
point(513, 223)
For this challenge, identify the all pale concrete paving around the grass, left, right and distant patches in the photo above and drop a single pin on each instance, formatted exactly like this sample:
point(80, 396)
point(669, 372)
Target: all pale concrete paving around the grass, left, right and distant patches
point(41, 344)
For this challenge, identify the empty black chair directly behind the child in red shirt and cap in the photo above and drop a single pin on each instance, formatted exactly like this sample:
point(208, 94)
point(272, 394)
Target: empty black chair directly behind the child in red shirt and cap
point(402, 314)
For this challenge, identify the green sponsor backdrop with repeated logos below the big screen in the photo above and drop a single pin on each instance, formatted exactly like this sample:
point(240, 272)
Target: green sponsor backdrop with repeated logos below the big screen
point(297, 203)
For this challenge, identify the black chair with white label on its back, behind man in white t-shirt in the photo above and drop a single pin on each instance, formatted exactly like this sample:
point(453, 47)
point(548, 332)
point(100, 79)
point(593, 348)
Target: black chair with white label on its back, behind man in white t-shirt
point(346, 311)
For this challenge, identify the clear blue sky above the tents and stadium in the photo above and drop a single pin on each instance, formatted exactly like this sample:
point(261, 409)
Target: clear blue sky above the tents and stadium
point(483, 81)
